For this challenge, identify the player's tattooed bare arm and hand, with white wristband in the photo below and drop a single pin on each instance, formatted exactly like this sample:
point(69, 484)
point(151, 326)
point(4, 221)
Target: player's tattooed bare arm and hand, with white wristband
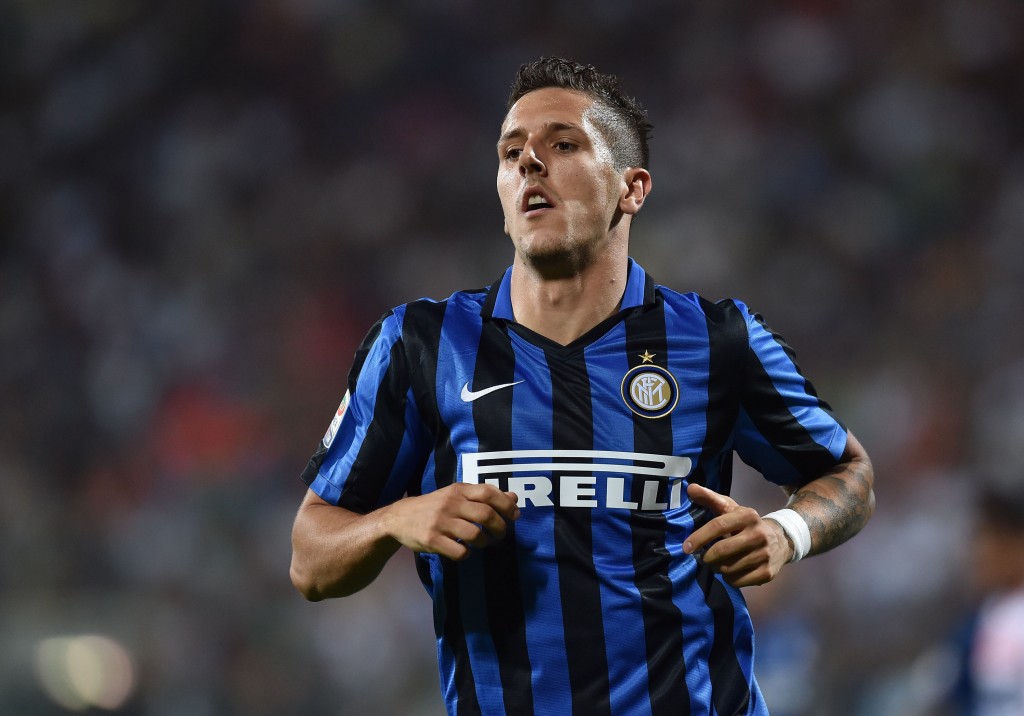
point(749, 550)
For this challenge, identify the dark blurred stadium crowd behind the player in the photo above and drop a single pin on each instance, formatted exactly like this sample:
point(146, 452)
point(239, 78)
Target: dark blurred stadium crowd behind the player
point(205, 205)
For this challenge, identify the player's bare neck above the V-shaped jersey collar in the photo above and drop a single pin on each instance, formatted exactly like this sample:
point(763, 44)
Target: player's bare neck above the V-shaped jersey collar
point(564, 307)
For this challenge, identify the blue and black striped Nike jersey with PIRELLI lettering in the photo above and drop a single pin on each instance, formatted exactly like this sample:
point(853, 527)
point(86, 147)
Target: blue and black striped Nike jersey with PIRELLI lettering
point(589, 605)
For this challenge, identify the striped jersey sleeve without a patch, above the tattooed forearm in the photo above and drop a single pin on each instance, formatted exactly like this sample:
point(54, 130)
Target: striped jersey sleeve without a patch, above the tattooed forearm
point(784, 430)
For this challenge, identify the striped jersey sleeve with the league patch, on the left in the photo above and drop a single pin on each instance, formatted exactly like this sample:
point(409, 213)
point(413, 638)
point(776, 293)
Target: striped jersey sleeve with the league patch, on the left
point(374, 447)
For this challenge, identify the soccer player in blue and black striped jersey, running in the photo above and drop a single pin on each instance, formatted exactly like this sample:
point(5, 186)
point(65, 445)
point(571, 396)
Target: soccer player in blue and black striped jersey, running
point(557, 449)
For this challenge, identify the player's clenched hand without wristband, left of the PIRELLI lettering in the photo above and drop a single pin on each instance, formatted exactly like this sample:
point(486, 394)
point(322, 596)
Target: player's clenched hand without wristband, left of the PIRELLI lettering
point(450, 521)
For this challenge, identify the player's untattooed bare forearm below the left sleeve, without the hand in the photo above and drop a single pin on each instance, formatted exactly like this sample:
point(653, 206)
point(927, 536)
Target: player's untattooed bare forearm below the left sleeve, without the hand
point(336, 553)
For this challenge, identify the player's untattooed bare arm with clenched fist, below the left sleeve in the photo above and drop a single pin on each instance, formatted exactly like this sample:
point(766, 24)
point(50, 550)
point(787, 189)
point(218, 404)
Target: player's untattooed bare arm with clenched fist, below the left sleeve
point(337, 553)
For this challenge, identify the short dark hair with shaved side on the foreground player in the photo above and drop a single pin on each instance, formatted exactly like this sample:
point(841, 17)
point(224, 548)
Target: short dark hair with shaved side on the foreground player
point(624, 122)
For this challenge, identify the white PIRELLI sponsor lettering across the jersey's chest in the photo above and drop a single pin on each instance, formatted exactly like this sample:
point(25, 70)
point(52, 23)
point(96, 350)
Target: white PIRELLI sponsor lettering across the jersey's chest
point(540, 482)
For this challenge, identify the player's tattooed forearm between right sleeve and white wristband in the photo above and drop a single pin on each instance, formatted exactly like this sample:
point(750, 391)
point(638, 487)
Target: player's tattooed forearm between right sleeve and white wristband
point(837, 506)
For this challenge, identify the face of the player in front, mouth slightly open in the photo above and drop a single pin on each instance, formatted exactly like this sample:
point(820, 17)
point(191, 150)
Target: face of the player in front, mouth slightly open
point(557, 179)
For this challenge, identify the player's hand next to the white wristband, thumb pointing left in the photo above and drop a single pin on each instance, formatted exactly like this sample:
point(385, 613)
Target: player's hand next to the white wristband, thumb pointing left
point(744, 549)
